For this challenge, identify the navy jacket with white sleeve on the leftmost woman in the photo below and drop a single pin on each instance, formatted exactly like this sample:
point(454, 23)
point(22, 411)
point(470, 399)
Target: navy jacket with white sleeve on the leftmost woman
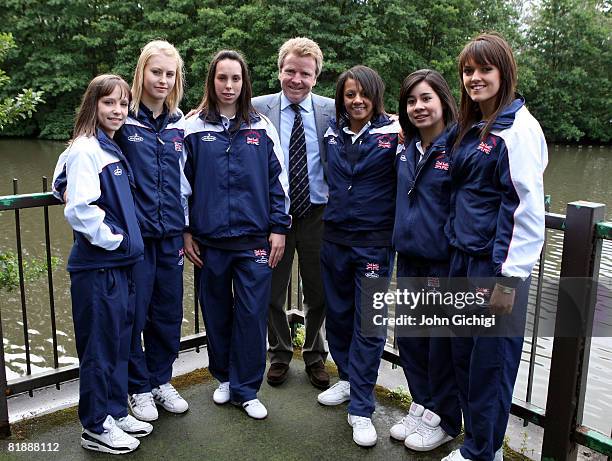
point(100, 206)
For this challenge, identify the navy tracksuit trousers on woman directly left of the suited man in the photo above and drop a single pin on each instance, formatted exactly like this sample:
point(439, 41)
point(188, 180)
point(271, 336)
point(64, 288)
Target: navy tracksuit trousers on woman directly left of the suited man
point(236, 320)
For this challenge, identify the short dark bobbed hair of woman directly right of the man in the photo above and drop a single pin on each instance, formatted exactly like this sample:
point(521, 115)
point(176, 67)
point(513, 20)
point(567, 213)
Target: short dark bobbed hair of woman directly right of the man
point(373, 88)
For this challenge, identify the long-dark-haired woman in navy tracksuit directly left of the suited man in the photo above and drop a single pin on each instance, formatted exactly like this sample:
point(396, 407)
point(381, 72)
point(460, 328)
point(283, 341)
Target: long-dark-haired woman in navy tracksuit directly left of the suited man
point(238, 222)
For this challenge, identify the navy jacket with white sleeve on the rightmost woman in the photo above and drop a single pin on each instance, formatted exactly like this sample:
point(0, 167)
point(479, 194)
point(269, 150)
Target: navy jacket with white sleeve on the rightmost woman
point(497, 201)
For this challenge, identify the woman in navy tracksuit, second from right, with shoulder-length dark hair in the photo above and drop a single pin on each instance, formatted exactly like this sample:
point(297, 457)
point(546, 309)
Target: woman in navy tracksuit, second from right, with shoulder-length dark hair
point(427, 113)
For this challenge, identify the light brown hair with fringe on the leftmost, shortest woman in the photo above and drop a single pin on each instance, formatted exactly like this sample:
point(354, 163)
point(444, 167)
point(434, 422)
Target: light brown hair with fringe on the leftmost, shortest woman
point(86, 121)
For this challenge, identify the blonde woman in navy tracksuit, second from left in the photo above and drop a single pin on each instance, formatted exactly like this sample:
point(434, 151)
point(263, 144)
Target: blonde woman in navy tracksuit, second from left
point(152, 140)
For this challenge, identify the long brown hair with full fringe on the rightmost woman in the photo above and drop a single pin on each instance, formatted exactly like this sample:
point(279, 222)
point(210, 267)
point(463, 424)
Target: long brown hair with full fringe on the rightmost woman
point(493, 49)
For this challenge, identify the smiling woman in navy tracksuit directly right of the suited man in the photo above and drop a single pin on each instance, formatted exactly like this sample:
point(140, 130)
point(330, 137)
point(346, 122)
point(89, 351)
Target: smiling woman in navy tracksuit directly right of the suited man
point(356, 249)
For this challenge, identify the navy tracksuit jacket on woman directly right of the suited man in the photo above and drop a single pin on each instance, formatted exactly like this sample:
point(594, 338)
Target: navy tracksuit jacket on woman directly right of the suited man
point(362, 184)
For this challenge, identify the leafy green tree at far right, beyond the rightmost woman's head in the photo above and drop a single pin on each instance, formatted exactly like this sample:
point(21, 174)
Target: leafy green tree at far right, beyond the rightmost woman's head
point(569, 55)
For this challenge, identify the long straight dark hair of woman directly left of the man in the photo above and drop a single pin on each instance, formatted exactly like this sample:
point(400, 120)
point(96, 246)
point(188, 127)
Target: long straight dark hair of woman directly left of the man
point(210, 102)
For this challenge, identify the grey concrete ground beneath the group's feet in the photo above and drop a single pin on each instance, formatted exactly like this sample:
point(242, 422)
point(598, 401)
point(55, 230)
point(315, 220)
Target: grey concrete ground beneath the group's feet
point(297, 428)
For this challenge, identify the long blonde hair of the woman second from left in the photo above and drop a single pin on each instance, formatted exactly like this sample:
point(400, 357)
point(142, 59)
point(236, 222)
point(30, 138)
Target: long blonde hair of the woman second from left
point(153, 48)
